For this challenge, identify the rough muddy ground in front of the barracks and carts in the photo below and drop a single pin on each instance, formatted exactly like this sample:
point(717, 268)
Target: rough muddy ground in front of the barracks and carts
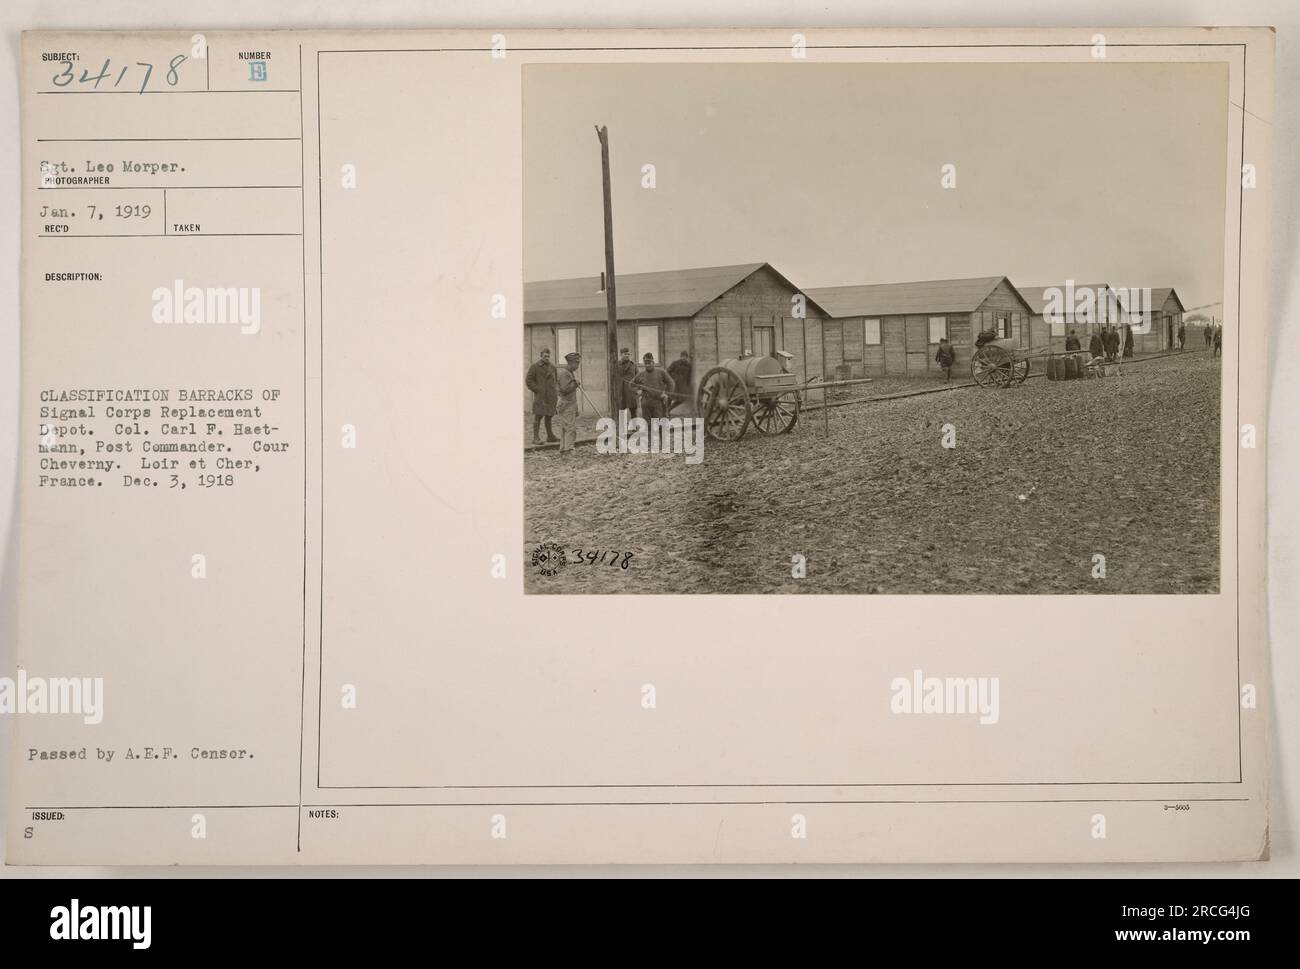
point(1045, 477)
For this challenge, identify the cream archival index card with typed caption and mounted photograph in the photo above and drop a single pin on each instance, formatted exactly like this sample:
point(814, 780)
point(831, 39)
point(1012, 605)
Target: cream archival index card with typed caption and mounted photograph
point(645, 447)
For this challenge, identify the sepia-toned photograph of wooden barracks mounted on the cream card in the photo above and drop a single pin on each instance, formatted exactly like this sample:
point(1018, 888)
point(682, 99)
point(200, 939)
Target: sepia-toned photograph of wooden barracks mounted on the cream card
point(874, 328)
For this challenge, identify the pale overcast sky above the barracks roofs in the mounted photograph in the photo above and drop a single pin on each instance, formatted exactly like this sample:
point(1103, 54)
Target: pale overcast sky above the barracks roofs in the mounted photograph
point(1094, 172)
